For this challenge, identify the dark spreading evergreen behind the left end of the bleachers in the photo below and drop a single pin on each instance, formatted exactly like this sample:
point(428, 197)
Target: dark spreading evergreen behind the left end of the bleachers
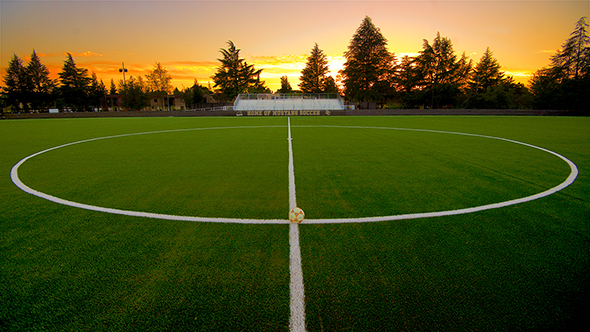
point(234, 75)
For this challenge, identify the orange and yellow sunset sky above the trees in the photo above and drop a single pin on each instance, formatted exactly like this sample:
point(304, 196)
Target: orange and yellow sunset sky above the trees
point(276, 36)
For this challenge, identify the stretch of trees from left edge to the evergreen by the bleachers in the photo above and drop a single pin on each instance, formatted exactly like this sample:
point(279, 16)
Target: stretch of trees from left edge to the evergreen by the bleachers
point(29, 88)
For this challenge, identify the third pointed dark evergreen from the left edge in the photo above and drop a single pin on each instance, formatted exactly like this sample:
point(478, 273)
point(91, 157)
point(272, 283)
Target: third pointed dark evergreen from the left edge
point(74, 88)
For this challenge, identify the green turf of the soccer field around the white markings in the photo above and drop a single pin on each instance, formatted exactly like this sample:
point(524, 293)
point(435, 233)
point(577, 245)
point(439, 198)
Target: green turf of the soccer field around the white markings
point(521, 267)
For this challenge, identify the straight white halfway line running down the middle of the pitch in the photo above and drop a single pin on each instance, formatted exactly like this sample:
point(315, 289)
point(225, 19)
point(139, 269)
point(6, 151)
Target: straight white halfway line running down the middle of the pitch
point(297, 321)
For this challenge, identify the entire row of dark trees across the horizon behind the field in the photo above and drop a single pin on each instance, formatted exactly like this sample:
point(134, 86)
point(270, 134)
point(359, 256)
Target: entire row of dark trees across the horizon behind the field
point(435, 78)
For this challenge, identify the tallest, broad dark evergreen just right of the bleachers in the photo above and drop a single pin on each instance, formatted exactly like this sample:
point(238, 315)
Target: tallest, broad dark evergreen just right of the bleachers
point(369, 68)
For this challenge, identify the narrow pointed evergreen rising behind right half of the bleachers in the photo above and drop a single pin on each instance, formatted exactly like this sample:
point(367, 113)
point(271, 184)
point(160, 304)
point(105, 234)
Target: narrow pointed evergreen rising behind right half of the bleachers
point(313, 76)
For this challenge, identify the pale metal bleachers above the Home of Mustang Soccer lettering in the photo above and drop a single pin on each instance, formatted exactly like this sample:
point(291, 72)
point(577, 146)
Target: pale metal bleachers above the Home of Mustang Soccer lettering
point(288, 102)
